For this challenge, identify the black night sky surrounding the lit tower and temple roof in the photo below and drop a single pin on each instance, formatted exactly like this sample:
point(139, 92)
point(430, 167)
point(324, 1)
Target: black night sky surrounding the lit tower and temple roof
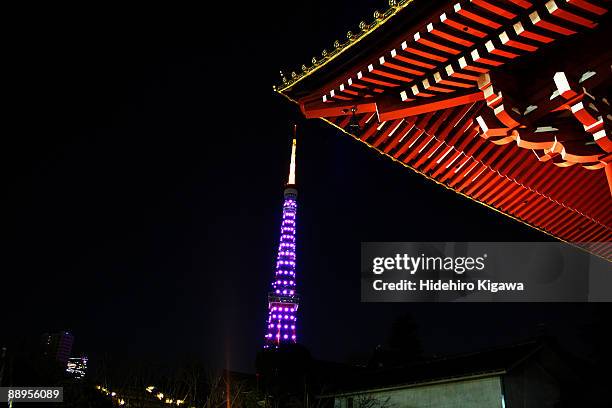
point(142, 190)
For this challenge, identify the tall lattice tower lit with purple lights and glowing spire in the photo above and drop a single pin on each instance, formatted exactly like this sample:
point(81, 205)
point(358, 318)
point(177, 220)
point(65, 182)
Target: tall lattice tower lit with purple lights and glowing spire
point(283, 300)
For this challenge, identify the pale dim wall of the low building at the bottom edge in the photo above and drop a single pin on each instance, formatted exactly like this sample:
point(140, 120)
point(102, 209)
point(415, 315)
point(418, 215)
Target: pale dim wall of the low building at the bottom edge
point(479, 393)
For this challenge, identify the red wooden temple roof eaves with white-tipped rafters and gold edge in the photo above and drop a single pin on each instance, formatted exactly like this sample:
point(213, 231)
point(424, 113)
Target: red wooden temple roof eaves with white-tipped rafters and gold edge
point(501, 101)
